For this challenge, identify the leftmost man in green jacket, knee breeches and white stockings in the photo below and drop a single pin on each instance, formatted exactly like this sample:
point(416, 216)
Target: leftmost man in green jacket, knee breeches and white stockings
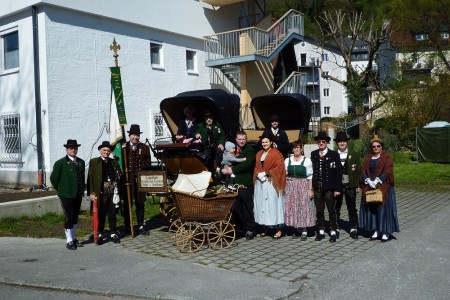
point(68, 179)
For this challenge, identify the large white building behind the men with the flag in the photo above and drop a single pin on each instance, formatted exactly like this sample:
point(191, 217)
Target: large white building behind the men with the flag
point(55, 78)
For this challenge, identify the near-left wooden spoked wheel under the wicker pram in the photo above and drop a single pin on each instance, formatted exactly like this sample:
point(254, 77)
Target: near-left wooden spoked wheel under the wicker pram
point(190, 237)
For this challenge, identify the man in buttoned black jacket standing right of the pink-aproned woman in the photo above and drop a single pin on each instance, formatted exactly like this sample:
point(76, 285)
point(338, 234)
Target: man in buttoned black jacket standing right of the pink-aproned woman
point(327, 184)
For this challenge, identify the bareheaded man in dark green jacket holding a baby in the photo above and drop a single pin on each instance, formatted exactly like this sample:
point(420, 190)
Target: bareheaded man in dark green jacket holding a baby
point(243, 208)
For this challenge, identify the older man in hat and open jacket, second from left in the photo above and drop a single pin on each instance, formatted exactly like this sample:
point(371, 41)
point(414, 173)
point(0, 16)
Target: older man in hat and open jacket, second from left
point(103, 185)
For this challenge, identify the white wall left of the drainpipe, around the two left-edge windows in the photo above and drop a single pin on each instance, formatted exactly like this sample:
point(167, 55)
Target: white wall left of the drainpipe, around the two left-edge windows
point(17, 97)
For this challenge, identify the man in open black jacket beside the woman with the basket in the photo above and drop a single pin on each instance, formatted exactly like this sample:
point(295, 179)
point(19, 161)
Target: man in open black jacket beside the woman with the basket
point(351, 167)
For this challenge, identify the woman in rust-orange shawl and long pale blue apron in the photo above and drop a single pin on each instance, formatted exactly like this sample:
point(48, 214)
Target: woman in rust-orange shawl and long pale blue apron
point(270, 180)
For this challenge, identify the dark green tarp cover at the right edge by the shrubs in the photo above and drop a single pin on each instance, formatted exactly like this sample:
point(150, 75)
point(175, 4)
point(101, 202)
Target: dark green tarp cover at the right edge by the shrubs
point(433, 144)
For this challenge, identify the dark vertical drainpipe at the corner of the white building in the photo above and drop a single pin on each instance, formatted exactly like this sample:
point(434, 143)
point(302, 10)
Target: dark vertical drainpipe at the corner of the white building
point(37, 98)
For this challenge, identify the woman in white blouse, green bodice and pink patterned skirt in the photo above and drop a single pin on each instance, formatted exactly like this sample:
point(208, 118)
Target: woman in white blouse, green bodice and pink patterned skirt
point(299, 207)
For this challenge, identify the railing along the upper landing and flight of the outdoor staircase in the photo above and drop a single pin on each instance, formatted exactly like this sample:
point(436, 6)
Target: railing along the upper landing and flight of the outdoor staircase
point(253, 40)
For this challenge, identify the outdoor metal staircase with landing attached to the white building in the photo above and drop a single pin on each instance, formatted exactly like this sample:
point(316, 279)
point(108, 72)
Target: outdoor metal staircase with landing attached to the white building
point(228, 50)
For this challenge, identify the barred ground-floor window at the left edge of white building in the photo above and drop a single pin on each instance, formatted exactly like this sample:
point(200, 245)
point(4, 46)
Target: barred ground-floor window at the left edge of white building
point(10, 147)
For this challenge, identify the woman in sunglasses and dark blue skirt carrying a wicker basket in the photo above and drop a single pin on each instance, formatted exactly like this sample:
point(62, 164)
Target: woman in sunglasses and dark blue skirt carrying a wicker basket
point(378, 173)
